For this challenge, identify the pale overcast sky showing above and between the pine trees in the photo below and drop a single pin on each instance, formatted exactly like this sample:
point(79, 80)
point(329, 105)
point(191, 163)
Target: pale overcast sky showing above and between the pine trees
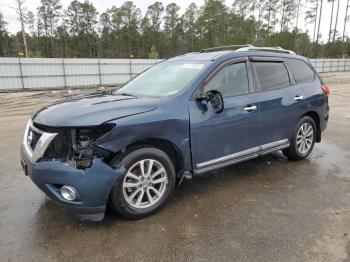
point(10, 16)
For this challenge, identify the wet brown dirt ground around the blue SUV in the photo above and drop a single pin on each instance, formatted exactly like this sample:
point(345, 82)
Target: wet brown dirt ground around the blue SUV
point(267, 209)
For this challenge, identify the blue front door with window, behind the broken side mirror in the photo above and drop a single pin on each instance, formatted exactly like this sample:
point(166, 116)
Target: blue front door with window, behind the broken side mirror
point(220, 139)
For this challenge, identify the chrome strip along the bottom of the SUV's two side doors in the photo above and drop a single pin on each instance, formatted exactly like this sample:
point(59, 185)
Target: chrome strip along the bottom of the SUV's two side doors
point(241, 154)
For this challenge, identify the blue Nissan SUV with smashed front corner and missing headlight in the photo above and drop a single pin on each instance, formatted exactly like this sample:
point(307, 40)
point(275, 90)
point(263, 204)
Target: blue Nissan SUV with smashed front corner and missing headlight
point(191, 114)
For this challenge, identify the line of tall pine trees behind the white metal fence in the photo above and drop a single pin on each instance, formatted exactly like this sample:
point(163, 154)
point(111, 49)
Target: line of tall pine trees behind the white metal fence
point(124, 32)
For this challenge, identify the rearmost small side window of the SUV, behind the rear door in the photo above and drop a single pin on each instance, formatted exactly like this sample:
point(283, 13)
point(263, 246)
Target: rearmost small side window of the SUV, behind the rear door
point(301, 71)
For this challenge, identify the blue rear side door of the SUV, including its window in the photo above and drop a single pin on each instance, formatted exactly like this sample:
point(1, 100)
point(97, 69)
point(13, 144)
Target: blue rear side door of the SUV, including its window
point(279, 99)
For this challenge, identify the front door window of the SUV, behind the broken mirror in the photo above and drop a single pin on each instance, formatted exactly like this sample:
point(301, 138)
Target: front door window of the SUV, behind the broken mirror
point(232, 80)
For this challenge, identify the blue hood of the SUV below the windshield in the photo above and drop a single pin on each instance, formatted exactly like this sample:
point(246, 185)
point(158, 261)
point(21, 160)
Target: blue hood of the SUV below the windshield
point(92, 110)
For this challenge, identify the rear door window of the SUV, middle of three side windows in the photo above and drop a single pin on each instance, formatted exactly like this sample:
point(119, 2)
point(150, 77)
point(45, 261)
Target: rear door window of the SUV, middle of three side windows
point(270, 75)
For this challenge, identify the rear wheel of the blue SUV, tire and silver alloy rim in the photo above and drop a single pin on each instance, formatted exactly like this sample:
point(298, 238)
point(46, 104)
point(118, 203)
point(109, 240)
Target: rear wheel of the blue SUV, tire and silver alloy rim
point(305, 127)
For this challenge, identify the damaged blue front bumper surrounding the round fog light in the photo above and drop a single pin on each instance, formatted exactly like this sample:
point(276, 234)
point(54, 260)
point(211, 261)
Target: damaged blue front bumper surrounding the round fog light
point(93, 184)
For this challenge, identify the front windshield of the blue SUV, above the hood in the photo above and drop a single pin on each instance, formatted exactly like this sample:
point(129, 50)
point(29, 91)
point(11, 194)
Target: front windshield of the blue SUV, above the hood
point(164, 79)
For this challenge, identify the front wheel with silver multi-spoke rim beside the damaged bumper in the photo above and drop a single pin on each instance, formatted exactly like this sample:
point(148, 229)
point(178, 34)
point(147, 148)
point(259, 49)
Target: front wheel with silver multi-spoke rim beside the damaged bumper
point(149, 197)
